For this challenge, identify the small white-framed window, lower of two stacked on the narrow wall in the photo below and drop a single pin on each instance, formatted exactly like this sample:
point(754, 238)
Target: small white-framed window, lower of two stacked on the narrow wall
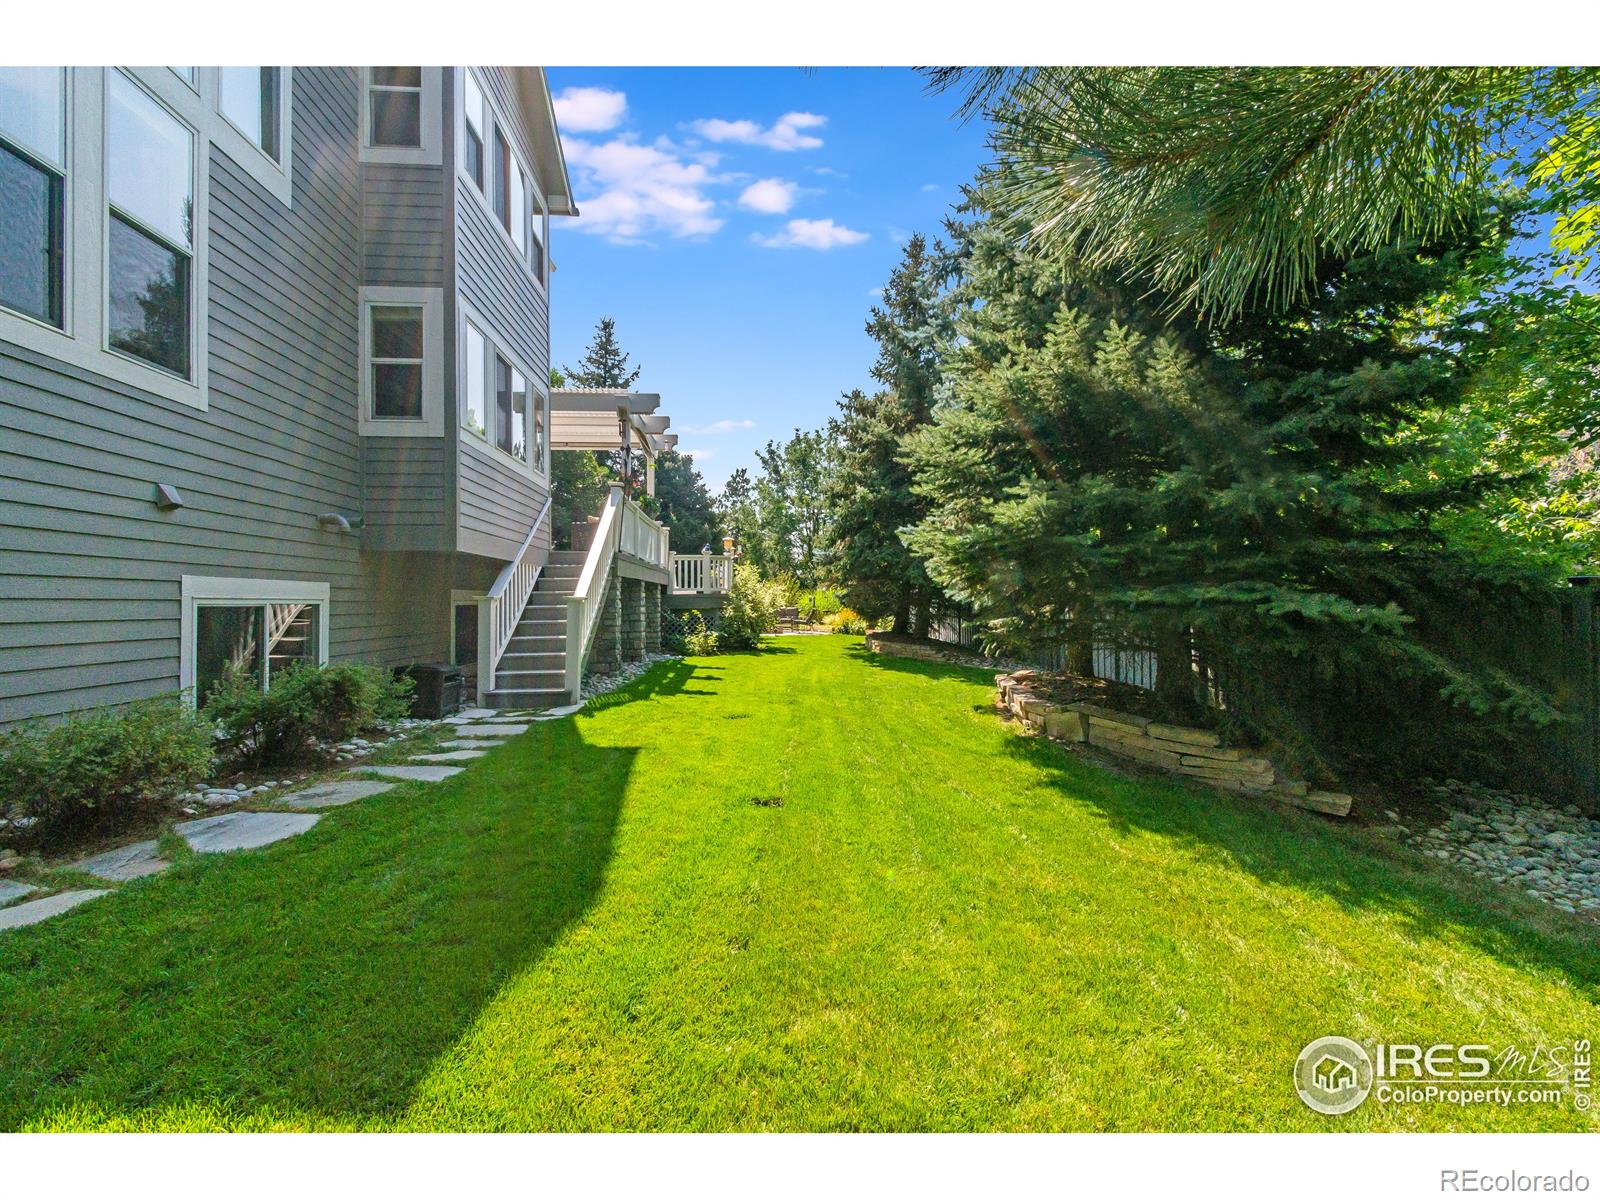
point(402, 362)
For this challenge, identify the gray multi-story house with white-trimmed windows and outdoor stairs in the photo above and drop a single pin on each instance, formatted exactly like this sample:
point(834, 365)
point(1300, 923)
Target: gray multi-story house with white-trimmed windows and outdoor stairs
point(274, 359)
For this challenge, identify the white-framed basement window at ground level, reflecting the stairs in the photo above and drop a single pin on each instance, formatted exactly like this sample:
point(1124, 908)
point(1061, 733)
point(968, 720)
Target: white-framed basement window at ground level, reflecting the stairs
point(255, 630)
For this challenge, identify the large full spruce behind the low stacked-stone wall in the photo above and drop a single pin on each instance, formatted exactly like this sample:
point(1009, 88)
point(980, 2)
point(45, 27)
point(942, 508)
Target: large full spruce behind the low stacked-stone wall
point(1094, 468)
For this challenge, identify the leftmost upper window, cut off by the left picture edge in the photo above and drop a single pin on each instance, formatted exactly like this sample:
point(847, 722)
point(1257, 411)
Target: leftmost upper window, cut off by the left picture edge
point(33, 191)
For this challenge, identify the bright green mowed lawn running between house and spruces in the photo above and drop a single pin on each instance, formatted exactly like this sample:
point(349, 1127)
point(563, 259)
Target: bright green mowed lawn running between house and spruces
point(930, 922)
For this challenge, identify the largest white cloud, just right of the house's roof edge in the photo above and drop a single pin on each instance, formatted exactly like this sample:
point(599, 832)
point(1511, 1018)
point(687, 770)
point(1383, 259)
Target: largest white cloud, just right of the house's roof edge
point(628, 191)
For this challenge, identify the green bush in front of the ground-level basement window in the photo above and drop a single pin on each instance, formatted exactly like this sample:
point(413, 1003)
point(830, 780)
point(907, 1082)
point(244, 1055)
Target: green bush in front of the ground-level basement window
point(305, 708)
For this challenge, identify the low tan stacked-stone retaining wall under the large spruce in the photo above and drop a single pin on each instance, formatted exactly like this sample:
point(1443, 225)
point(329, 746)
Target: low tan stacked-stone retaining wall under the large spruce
point(1196, 754)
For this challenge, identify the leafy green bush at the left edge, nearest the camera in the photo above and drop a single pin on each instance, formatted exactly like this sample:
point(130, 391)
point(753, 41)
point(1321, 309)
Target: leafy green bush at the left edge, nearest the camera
point(94, 772)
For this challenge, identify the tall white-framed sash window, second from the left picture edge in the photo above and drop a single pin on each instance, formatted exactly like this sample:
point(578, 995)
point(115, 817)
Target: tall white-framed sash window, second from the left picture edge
point(150, 185)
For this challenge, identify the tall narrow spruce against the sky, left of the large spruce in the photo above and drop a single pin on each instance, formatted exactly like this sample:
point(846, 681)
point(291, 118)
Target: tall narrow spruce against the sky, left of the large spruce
point(871, 497)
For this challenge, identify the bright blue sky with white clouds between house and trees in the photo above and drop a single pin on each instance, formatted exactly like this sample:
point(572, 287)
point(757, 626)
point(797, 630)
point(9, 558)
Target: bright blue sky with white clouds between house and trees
point(737, 223)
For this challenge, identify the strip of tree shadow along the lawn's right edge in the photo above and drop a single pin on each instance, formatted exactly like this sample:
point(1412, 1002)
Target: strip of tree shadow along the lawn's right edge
point(1311, 854)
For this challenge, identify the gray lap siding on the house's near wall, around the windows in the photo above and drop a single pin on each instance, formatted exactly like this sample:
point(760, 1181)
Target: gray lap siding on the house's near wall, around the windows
point(90, 569)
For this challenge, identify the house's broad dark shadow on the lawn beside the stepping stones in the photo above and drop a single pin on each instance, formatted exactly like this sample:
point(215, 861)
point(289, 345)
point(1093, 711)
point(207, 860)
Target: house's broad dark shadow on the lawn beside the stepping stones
point(319, 980)
